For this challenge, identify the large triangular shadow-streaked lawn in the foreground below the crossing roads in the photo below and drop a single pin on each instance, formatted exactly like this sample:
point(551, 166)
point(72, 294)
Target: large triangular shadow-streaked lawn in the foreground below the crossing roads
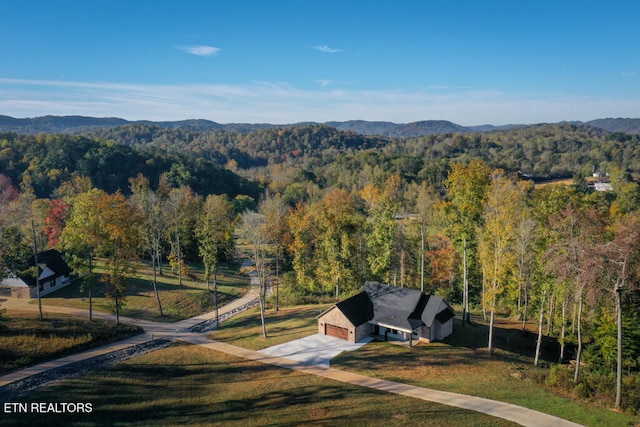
point(191, 385)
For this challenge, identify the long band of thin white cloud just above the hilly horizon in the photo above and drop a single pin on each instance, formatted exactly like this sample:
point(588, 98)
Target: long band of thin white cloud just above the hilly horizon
point(281, 103)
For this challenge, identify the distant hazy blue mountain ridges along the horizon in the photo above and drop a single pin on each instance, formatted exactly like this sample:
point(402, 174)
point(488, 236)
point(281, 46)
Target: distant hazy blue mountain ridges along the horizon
point(80, 124)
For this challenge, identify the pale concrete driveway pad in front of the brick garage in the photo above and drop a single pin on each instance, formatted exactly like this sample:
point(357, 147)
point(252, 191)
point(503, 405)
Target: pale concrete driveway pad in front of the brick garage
point(313, 350)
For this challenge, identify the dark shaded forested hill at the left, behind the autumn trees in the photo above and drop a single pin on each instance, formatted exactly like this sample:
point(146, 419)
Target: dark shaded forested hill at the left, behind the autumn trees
point(46, 161)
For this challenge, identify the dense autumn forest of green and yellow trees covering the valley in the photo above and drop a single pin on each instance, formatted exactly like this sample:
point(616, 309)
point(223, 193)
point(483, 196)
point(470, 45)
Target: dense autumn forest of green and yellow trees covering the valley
point(323, 210)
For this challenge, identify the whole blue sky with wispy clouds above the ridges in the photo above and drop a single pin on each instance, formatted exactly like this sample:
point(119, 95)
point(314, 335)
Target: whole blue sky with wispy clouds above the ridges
point(468, 61)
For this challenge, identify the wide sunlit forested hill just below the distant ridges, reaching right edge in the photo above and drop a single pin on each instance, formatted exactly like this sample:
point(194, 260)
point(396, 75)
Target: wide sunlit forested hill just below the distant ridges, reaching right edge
point(543, 151)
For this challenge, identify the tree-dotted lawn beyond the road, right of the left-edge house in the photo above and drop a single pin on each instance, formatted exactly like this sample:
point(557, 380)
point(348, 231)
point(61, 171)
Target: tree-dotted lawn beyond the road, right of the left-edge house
point(178, 302)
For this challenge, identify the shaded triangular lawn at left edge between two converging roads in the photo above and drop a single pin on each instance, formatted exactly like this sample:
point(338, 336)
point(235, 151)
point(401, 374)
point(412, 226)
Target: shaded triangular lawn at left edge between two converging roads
point(25, 340)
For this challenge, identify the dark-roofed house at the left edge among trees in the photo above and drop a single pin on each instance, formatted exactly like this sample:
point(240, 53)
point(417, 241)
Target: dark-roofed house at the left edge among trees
point(54, 274)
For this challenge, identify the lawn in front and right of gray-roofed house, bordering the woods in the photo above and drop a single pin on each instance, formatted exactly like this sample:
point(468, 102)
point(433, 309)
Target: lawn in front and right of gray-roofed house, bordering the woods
point(462, 364)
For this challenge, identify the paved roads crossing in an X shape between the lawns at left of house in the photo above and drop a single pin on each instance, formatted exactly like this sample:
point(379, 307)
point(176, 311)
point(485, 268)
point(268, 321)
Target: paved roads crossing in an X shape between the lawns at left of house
point(517, 414)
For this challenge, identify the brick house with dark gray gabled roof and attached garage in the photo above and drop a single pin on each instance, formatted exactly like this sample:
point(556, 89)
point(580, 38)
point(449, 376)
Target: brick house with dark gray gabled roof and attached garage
point(394, 313)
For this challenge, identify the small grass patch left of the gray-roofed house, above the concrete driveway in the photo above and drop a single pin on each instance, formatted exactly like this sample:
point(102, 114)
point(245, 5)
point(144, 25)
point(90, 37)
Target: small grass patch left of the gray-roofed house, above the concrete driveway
point(286, 324)
